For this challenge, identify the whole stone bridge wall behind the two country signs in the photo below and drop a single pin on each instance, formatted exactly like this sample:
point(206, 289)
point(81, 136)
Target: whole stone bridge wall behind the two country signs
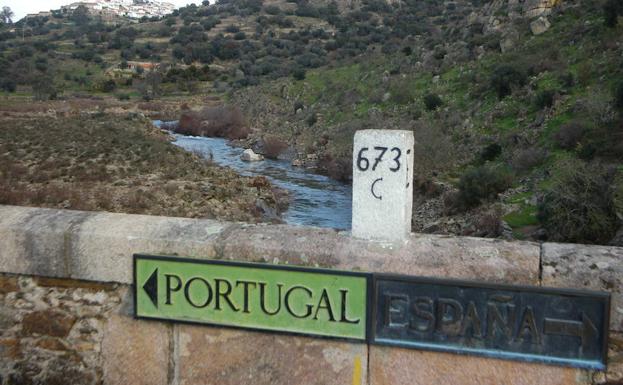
point(66, 303)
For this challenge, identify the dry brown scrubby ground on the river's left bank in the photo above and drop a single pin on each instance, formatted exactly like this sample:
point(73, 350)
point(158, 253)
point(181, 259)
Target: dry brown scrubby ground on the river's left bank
point(119, 164)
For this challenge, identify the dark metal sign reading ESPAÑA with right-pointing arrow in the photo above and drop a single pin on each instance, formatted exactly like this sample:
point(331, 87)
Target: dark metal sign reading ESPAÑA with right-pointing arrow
point(566, 327)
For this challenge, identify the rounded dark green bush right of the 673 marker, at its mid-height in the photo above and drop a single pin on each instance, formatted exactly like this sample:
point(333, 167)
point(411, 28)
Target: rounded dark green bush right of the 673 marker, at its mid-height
point(482, 183)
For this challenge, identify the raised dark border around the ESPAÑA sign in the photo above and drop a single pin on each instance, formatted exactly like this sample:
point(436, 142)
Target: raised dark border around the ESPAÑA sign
point(500, 354)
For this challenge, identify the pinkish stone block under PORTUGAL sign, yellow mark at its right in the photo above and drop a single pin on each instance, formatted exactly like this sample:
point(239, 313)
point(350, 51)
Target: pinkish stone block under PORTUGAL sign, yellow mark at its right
point(230, 357)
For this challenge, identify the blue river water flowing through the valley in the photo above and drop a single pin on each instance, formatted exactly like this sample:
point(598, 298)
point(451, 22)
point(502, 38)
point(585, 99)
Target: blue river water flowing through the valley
point(316, 200)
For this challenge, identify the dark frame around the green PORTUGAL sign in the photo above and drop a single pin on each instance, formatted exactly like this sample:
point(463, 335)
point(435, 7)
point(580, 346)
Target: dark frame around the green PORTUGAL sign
point(368, 297)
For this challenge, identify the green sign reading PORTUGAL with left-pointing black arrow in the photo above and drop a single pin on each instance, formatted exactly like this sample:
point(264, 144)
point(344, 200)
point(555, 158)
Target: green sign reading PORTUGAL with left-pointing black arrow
point(255, 296)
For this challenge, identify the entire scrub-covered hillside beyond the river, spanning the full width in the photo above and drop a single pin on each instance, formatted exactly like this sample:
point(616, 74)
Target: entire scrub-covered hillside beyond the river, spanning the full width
point(516, 106)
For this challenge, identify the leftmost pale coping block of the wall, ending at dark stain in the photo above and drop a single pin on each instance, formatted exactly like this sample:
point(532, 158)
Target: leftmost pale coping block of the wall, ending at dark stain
point(32, 240)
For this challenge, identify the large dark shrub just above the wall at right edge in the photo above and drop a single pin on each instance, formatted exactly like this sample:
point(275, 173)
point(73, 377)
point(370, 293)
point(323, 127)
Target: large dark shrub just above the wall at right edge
point(579, 205)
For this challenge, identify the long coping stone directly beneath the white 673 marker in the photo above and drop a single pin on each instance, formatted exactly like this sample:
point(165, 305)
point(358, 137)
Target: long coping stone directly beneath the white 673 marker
point(423, 254)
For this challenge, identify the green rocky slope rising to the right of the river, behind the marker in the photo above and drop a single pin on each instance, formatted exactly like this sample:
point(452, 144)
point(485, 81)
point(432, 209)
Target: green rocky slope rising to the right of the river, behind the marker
point(514, 110)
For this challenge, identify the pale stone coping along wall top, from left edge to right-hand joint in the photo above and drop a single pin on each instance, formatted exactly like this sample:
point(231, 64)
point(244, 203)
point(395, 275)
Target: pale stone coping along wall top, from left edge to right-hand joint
point(99, 246)
